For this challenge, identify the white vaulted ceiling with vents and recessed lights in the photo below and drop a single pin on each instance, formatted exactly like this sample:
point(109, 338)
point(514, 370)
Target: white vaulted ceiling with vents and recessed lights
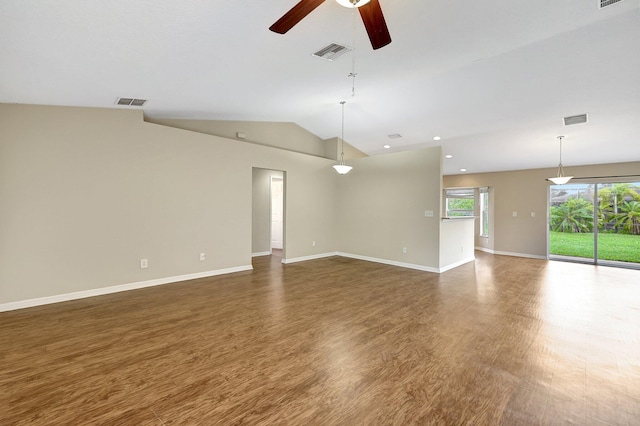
point(493, 78)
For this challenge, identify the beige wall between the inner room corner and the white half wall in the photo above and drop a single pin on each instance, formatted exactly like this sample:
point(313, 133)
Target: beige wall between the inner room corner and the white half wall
point(382, 205)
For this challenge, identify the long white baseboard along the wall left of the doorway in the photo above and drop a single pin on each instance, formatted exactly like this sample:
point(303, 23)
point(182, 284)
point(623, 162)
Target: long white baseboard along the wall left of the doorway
point(21, 304)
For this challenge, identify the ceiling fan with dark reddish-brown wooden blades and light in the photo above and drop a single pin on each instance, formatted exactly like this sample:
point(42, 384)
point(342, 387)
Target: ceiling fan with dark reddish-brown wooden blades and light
point(370, 12)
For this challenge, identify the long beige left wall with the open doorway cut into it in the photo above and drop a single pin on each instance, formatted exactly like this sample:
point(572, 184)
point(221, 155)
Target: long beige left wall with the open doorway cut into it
point(86, 193)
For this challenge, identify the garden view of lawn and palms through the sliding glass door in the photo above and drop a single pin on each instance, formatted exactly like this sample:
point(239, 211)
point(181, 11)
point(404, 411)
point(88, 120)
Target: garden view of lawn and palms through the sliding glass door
point(595, 222)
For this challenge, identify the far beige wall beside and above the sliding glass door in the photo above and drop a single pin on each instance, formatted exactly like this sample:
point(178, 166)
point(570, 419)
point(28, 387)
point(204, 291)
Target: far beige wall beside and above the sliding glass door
point(524, 192)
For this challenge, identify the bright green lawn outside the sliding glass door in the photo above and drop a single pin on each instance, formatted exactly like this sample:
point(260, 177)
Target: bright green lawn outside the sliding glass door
point(621, 247)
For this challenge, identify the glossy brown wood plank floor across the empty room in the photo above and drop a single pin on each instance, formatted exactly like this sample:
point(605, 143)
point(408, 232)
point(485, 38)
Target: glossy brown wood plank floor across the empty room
point(336, 341)
